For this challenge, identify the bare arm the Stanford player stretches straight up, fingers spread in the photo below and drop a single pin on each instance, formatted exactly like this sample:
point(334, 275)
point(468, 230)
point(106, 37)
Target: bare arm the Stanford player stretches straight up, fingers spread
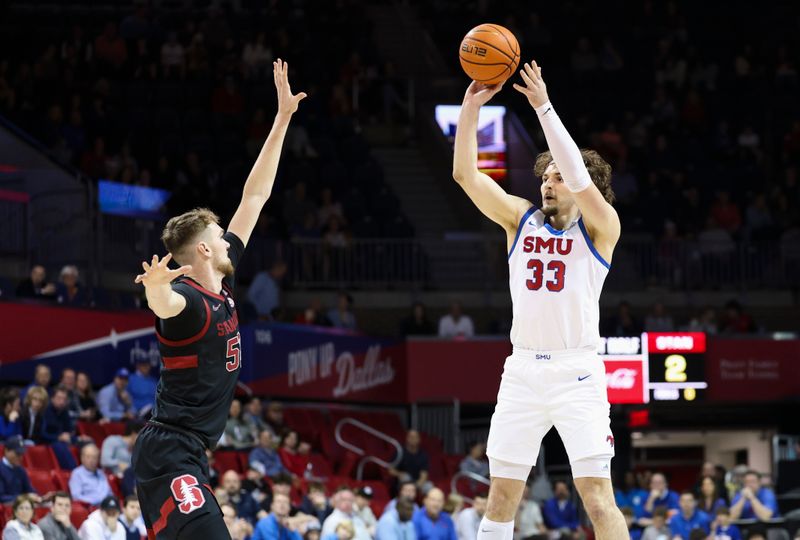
point(259, 183)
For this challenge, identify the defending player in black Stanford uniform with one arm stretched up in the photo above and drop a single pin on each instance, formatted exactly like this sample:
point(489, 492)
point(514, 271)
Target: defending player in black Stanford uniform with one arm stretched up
point(198, 333)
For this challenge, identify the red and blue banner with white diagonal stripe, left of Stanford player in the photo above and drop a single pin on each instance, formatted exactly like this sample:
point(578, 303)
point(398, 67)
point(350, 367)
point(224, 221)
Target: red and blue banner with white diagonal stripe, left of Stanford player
point(97, 342)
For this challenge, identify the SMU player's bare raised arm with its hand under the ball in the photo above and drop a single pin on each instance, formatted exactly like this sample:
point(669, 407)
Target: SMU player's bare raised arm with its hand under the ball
point(490, 198)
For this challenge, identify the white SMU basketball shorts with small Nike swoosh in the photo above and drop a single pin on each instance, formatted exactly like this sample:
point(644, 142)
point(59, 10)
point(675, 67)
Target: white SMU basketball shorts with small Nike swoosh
point(541, 389)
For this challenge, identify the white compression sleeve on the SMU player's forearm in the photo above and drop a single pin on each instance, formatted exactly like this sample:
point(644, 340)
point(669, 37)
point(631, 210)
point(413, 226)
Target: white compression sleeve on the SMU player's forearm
point(565, 152)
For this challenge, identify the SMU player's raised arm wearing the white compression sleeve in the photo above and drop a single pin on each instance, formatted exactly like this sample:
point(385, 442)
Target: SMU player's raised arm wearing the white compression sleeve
point(599, 216)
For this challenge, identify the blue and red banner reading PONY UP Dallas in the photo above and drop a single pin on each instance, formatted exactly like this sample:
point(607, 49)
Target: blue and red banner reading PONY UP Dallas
point(286, 360)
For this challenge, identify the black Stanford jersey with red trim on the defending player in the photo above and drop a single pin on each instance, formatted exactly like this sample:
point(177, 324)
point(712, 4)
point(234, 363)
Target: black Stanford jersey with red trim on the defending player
point(200, 356)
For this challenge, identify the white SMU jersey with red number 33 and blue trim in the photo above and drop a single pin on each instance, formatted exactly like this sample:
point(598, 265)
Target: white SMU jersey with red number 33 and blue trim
point(556, 277)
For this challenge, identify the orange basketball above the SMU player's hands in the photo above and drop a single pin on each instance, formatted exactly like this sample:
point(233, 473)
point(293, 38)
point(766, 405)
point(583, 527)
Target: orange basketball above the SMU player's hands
point(489, 54)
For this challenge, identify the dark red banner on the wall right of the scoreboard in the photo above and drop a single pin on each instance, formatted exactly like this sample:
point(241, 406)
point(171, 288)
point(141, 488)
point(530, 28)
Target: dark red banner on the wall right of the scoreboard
point(753, 369)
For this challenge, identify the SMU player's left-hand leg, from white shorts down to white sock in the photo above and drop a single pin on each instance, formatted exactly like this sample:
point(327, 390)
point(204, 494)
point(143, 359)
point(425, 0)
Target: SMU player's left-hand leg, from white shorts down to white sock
point(515, 436)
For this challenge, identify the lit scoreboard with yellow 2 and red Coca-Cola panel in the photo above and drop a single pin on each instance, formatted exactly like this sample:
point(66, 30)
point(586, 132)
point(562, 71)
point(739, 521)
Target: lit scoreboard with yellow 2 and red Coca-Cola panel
point(658, 366)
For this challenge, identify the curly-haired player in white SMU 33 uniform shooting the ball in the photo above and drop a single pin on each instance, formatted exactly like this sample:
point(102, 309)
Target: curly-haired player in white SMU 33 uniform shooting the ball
point(559, 256)
